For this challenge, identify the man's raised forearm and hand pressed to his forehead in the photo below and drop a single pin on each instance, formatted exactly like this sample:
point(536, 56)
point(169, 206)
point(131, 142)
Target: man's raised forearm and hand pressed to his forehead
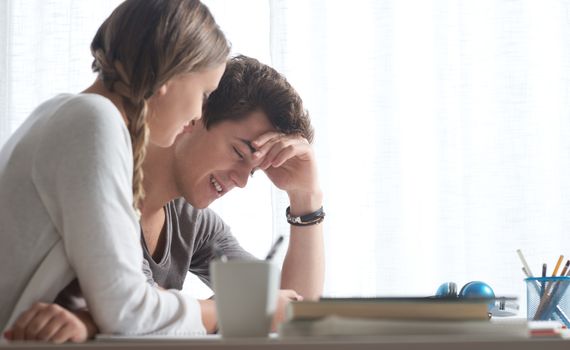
point(289, 162)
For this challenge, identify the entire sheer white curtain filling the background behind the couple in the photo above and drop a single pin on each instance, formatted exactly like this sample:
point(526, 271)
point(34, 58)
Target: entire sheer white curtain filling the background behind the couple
point(442, 127)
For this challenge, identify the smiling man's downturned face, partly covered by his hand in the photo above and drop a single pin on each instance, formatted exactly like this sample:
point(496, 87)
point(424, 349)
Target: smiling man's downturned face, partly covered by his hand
point(209, 163)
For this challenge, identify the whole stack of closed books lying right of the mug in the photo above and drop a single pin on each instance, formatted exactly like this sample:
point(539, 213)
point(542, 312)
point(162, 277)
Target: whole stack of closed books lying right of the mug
point(396, 316)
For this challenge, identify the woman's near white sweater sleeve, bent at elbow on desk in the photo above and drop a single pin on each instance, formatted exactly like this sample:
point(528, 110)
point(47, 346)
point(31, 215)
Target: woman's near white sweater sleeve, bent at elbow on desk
point(83, 174)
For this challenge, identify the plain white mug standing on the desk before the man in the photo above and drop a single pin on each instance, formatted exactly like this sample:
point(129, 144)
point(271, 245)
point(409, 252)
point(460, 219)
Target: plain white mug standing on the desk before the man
point(246, 296)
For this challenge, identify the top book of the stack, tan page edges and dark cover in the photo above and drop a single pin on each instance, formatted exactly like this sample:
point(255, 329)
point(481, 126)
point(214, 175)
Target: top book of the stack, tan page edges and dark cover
point(404, 308)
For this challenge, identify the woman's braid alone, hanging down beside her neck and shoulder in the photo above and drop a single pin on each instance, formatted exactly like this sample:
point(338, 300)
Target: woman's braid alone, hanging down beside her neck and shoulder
point(116, 80)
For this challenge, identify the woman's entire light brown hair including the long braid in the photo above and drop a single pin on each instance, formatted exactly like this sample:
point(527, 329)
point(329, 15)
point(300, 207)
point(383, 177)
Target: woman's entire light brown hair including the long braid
point(142, 45)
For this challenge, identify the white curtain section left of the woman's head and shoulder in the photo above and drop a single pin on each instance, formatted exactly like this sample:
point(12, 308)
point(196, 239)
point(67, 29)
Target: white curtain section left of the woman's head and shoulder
point(44, 50)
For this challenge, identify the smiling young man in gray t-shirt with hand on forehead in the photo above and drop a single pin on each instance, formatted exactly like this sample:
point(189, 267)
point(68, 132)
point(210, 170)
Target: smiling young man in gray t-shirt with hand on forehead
point(254, 120)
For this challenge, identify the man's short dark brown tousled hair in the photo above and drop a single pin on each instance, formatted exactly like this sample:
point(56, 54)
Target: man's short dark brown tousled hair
point(249, 85)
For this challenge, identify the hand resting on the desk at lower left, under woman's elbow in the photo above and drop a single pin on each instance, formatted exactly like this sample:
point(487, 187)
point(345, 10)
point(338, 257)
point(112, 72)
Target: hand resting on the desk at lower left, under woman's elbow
point(53, 323)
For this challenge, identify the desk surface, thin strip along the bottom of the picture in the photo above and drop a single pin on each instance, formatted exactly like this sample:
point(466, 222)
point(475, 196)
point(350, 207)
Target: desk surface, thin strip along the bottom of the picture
point(353, 343)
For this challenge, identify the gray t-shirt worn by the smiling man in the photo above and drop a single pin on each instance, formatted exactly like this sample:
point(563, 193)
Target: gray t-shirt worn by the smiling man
point(190, 236)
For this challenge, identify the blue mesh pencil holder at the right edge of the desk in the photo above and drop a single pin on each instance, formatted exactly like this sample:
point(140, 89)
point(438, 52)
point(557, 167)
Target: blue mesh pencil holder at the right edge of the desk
point(548, 298)
